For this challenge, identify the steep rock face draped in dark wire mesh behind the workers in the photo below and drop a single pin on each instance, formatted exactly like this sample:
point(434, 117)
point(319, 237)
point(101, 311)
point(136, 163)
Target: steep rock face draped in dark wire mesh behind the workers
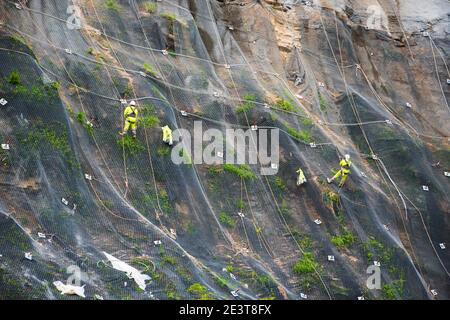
point(364, 78)
